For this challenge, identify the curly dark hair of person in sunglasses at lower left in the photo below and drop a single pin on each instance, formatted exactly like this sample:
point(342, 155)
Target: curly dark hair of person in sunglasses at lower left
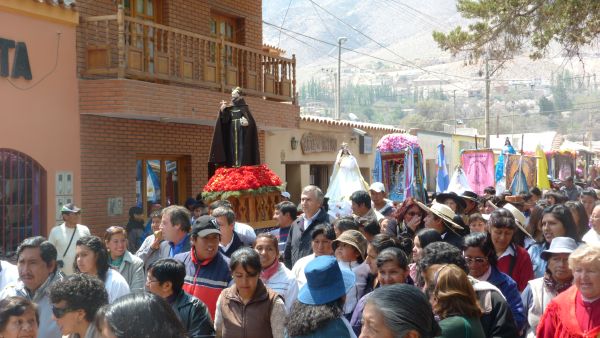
point(80, 291)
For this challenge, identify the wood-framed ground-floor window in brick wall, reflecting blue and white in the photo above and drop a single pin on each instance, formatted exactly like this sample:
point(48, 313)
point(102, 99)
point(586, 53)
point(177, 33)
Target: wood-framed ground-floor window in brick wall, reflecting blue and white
point(160, 180)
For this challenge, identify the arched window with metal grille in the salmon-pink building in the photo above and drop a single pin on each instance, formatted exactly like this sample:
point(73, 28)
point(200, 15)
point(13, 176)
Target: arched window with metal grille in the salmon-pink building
point(22, 199)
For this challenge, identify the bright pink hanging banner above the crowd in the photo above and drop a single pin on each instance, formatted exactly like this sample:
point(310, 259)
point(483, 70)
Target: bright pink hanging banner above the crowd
point(478, 166)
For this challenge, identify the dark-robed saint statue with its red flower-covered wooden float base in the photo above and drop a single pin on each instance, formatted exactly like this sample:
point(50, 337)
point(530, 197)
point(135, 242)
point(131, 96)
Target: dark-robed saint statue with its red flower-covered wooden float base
point(239, 177)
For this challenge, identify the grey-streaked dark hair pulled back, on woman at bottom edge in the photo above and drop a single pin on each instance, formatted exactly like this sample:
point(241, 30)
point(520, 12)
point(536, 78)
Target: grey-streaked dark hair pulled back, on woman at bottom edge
point(405, 308)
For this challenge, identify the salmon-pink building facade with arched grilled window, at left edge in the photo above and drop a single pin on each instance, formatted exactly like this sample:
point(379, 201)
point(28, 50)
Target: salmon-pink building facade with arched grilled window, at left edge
point(39, 134)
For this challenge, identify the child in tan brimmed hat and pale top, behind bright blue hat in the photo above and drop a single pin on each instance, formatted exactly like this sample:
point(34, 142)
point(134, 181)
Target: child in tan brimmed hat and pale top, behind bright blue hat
point(350, 250)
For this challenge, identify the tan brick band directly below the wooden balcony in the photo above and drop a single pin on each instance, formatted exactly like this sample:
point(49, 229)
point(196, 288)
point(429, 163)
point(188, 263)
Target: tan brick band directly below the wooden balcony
point(130, 97)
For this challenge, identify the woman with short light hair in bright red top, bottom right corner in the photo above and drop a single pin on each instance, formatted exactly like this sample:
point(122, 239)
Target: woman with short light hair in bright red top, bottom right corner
point(576, 312)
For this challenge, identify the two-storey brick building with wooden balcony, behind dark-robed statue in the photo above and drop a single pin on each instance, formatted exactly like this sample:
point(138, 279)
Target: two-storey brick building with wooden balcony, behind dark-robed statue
point(152, 76)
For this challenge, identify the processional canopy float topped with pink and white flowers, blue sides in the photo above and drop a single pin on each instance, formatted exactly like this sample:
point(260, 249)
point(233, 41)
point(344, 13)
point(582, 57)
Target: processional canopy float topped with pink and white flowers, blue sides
point(399, 165)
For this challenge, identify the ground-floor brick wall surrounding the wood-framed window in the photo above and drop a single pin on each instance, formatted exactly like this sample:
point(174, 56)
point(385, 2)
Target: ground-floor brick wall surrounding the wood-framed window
point(109, 147)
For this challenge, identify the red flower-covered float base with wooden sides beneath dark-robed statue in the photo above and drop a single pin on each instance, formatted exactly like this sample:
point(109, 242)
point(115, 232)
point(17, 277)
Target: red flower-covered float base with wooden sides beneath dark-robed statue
point(252, 191)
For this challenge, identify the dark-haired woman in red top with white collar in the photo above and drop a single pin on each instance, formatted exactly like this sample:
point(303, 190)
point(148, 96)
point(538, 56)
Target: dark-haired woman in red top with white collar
point(513, 259)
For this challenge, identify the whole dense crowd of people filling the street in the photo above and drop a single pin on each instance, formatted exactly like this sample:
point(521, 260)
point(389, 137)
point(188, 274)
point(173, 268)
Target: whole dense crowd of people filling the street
point(464, 265)
